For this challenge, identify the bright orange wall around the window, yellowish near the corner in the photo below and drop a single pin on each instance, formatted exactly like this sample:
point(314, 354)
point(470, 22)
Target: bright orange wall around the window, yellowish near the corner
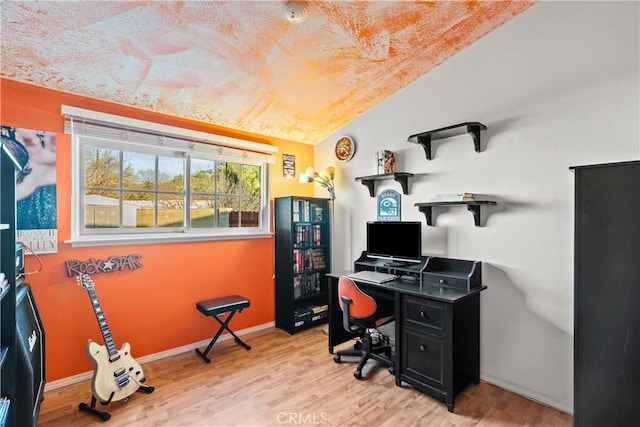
point(152, 308)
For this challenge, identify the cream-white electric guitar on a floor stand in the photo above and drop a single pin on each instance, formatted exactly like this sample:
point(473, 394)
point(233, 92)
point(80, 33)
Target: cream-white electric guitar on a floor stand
point(116, 374)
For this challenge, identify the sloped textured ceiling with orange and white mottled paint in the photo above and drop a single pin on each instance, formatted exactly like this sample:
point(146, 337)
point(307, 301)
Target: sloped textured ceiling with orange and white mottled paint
point(241, 64)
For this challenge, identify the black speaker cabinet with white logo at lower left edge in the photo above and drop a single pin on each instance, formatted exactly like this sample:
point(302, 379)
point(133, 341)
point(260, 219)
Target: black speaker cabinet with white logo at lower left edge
point(30, 377)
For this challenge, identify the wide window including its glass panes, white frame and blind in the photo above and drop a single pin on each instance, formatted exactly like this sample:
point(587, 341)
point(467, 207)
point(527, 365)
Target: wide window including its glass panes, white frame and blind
point(136, 182)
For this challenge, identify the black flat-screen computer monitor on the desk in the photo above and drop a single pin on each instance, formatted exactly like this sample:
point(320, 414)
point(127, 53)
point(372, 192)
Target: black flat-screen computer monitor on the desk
point(399, 242)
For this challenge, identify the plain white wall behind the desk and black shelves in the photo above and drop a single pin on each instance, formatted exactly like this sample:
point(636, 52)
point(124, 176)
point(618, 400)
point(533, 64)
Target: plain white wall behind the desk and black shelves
point(557, 86)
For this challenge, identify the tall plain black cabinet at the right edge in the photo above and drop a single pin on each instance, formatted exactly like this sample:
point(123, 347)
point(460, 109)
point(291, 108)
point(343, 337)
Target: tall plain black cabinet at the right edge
point(607, 295)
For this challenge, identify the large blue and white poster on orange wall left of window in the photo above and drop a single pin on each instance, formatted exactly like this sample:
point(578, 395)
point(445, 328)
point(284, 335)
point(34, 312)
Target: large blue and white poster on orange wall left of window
point(37, 219)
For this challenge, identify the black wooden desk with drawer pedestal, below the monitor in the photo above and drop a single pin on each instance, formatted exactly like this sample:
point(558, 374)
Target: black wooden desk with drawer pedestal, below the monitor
point(437, 334)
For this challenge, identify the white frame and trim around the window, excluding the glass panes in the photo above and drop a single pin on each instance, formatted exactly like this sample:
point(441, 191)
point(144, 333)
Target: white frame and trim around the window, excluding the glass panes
point(110, 131)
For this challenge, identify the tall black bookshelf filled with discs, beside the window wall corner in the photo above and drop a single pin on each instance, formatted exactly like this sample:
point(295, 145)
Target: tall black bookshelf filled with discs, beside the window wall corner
point(302, 261)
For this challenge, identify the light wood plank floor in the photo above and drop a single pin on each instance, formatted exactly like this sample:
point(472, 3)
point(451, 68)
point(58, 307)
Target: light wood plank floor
point(288, 380)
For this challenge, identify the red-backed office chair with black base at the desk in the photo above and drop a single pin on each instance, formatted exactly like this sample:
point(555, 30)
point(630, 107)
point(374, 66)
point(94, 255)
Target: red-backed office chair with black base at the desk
point(360, 312)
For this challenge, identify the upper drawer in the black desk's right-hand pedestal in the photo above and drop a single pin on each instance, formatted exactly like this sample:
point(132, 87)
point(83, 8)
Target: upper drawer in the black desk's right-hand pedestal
point(425, 314)
